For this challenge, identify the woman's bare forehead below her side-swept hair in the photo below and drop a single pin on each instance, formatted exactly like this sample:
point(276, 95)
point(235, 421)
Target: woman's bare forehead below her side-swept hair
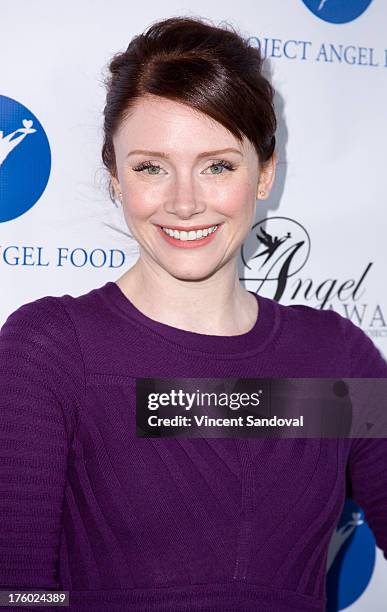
point(156, 121)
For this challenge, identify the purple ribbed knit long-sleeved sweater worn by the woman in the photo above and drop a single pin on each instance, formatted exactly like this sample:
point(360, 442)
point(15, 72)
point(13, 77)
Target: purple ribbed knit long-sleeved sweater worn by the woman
point(160, 524)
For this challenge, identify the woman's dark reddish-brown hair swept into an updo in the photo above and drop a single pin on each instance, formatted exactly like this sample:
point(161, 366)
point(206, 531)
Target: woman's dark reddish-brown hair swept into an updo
point(211, 69)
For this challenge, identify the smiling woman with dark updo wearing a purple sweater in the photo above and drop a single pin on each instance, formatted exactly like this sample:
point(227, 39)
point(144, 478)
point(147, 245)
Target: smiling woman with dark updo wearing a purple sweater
point(132, 523)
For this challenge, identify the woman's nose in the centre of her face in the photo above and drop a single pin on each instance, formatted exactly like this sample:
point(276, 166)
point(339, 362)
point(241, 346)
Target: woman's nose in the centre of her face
point(185, 199)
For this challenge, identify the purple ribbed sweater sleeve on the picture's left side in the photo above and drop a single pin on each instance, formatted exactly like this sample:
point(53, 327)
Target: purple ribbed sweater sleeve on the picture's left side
point(41, 381)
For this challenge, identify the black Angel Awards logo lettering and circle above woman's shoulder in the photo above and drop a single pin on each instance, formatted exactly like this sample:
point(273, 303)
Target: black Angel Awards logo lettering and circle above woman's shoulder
point(276, 252)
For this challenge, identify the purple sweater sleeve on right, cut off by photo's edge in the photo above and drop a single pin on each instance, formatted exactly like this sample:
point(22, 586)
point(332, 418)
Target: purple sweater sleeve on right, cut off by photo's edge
point(367, 464)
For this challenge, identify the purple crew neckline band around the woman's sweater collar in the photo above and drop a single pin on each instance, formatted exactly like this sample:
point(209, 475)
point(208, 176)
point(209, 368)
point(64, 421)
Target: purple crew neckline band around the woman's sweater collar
point(253, 341)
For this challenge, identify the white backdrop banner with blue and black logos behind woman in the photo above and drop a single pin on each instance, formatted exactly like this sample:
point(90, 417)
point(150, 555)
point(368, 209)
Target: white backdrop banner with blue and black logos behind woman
point(319, 240)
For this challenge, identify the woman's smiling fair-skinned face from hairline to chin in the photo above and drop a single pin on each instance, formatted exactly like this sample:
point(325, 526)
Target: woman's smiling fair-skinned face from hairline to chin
point(178, 182)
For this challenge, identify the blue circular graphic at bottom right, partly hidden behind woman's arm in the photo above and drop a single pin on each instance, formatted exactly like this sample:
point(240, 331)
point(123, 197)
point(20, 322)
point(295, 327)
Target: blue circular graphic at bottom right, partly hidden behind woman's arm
point(351, 559)
